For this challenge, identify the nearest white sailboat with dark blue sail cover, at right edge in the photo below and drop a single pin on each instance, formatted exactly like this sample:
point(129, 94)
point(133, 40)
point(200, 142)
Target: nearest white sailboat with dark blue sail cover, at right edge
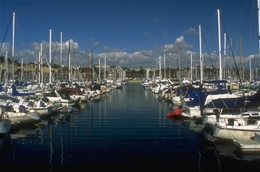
point(238, 127)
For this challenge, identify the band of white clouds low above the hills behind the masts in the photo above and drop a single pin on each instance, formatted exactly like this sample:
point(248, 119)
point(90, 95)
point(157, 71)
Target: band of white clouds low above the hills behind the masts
point(115, 56)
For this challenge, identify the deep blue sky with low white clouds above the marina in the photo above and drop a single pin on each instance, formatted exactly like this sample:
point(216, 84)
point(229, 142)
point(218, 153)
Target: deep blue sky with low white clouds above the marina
point(129, 33)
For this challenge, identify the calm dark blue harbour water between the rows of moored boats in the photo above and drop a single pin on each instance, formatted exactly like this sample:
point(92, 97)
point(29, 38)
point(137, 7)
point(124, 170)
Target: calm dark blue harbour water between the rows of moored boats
point(125, 130)
